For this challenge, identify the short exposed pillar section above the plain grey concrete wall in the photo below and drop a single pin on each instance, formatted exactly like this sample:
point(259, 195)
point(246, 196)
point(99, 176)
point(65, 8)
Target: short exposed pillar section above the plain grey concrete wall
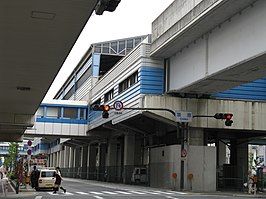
point(196, 137)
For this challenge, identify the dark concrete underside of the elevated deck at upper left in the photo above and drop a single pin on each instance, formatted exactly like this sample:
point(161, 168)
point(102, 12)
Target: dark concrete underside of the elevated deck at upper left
point(35, 39)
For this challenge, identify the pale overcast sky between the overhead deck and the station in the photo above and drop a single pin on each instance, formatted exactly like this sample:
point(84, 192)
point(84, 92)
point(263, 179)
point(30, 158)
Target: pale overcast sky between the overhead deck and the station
point(131, 18)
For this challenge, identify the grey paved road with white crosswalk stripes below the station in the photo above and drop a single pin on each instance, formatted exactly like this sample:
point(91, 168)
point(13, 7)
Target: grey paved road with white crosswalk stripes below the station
point(97, 190)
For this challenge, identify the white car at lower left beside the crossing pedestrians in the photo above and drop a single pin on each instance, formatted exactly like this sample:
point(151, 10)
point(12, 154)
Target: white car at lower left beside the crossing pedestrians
point(46, 179)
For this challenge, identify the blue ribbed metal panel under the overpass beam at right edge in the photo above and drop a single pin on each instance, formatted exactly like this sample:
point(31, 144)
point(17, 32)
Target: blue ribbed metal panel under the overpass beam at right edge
point(255, 90)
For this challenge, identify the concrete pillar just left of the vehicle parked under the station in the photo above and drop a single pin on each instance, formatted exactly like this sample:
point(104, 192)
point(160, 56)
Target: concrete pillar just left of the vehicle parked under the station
point(129, 157)
